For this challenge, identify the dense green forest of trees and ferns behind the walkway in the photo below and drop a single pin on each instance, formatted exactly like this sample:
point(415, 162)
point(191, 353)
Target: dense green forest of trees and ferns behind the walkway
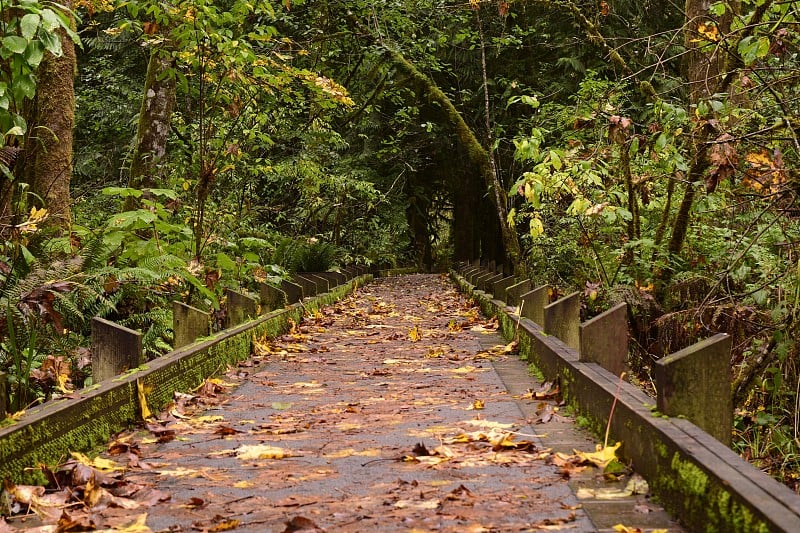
point(642, 151)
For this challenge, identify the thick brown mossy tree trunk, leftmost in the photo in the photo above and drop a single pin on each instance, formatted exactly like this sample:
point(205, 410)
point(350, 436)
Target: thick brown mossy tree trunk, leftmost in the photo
point(47, 165)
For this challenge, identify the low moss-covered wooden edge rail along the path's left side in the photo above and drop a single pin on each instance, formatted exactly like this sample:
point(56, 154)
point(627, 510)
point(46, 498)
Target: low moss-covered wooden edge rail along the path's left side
point(47, 433)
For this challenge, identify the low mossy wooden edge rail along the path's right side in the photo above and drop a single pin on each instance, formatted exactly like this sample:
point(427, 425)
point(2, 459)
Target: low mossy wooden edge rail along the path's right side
point(698, 479)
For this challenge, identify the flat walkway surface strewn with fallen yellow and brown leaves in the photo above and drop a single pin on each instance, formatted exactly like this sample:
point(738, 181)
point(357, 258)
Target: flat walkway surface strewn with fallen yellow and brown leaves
point(382, 413)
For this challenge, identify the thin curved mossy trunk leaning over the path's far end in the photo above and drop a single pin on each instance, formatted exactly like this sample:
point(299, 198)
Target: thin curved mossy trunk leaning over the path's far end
point(476, 153)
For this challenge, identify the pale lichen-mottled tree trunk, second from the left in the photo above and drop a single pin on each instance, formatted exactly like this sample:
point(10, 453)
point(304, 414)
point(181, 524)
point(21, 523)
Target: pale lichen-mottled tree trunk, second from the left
point(155, 114)
